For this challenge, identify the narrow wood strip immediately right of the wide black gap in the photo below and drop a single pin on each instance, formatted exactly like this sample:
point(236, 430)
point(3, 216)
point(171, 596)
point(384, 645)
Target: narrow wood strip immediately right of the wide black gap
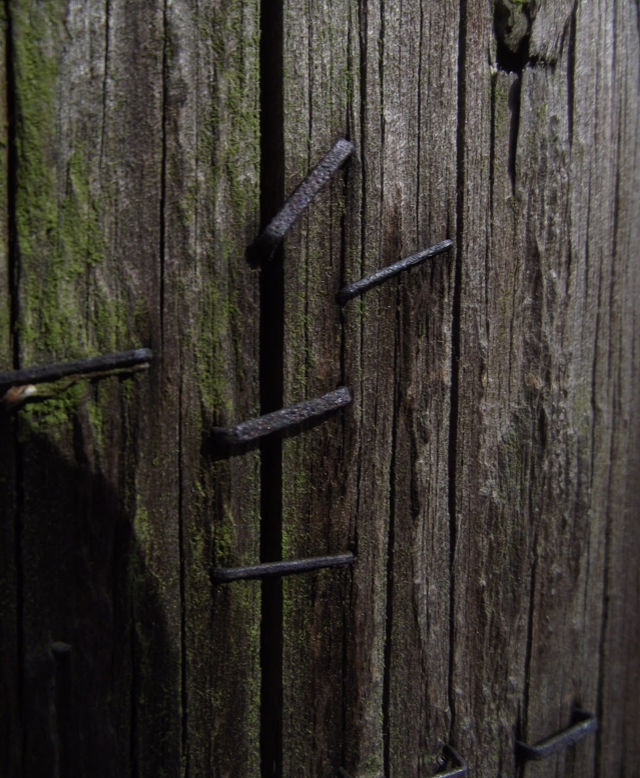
point(314, 515)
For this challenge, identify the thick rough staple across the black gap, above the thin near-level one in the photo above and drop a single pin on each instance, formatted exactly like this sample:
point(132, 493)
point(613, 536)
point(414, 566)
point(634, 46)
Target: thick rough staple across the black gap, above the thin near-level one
point(290, 418)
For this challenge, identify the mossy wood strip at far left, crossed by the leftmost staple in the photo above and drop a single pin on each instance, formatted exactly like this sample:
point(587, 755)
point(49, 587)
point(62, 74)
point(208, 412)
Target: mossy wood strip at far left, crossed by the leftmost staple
point(99, 546)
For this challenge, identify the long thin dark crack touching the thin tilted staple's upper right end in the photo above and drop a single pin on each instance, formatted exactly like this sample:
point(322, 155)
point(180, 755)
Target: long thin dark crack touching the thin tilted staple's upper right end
point(455, 354)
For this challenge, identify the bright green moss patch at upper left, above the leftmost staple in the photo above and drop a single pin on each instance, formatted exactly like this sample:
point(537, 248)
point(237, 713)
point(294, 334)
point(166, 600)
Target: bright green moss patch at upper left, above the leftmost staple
point(60, 236)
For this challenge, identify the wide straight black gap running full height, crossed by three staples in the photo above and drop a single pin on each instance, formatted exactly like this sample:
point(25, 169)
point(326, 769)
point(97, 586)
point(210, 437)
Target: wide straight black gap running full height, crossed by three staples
point(271, 383)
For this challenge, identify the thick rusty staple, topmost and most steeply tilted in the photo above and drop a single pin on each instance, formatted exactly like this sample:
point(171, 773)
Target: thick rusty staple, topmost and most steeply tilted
point(265, 244)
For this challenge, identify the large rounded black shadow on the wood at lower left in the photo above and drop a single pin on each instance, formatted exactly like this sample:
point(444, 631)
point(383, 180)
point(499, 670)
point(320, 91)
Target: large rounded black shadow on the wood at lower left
point(84, 645)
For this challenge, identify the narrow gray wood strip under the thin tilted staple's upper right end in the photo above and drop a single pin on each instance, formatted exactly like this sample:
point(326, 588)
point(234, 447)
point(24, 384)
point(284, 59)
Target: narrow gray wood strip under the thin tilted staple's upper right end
point(420, 78)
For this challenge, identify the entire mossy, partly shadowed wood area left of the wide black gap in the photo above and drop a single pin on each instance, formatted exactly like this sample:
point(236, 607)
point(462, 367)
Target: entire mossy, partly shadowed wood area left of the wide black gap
point(133, 187)
